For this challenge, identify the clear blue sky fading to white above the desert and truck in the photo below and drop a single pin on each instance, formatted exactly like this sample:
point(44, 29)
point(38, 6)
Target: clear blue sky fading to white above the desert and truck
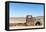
point(21, 10)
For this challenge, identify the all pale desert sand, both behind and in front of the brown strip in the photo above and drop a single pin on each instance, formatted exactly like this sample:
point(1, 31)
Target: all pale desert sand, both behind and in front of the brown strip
point(21, 20)
